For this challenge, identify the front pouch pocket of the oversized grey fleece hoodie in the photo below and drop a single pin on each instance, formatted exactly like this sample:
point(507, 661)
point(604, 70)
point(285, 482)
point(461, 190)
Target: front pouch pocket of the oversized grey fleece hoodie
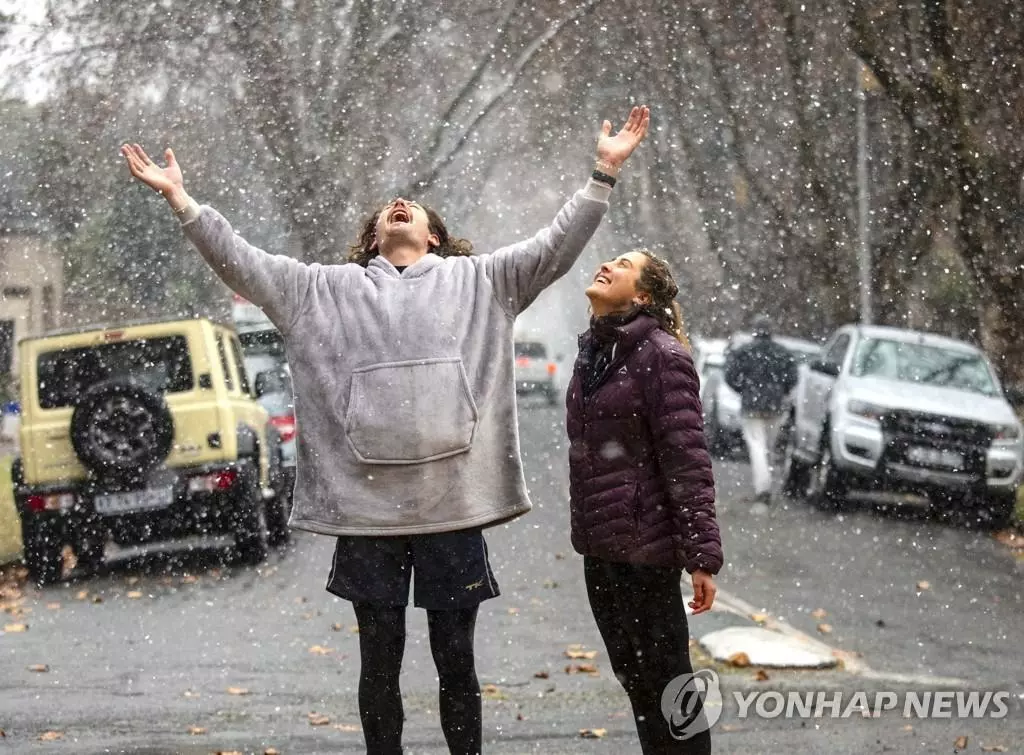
point(411, 412)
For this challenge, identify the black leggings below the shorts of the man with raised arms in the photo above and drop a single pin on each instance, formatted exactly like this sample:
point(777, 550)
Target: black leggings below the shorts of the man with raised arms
point(382, 643)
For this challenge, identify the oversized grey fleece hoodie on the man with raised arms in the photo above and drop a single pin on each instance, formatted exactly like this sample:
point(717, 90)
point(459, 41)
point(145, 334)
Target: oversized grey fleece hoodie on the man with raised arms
point(404, 382)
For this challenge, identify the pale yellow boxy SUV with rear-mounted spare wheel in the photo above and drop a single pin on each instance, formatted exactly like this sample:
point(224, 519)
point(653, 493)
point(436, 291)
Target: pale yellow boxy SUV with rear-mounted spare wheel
point(142, 433)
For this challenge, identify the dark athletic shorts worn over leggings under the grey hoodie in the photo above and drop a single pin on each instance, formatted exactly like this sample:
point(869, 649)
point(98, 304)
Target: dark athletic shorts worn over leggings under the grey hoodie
point(450, 570)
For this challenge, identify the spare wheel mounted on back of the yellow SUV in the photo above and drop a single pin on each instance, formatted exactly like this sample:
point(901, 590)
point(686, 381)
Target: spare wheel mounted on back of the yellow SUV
point(121, 428)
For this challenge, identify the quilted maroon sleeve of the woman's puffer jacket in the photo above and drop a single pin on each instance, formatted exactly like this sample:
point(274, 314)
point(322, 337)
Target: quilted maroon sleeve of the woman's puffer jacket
point(677, 426)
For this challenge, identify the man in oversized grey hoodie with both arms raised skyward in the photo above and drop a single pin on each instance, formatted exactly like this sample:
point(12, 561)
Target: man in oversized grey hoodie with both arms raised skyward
point(403, 368)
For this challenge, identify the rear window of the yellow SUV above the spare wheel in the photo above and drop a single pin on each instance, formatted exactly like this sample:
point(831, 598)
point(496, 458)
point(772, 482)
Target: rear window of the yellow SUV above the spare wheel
point(162, 365)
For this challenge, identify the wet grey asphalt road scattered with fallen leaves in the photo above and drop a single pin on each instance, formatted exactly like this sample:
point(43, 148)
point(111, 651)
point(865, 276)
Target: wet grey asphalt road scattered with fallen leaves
point(177, 654)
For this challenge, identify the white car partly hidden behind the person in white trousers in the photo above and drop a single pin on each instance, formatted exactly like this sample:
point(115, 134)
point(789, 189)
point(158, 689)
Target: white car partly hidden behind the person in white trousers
point(721, 404)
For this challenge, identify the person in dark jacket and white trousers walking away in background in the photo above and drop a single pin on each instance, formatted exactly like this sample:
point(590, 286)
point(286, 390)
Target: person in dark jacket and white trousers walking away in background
point(763, 373)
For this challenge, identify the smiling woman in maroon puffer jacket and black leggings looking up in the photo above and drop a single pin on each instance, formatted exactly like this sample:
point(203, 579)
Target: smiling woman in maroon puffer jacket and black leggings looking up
point(643, 493)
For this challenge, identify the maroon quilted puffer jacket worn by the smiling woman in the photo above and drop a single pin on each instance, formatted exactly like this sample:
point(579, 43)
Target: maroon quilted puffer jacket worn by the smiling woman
point(642, 485)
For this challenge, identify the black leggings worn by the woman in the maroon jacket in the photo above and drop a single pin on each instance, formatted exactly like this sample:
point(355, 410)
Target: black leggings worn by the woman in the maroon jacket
point(639, 612)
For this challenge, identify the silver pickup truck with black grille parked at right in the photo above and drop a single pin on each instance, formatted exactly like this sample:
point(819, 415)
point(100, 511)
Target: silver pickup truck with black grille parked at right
point(888, 410)
